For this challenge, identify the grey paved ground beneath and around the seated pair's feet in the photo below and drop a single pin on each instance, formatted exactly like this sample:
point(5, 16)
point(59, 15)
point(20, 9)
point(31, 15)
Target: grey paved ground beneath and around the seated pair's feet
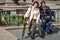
point(54, 36)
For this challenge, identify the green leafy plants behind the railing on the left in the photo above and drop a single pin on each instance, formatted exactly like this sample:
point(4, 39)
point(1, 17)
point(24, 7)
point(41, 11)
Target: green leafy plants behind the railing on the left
point(12, 20)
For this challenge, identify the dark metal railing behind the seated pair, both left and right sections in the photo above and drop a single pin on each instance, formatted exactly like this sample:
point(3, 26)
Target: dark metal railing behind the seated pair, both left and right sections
point(15, 17)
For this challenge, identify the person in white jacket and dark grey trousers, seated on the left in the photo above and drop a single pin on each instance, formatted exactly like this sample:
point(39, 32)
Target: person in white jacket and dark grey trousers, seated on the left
point(34, 16)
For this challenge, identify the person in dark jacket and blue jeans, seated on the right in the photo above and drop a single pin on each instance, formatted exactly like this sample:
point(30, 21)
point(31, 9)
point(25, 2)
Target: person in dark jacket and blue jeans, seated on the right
point(45, 16)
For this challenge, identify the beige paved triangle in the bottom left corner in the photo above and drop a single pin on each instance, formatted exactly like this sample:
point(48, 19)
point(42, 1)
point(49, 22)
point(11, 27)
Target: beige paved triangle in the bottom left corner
point(5, 35)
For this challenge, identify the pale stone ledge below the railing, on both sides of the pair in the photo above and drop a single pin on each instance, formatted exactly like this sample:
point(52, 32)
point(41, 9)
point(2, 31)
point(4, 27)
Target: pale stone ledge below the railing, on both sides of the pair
point(55, 24)
